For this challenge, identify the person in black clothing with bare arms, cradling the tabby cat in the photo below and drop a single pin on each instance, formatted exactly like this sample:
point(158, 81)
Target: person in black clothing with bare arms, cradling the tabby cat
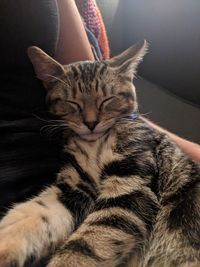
point(29, 159)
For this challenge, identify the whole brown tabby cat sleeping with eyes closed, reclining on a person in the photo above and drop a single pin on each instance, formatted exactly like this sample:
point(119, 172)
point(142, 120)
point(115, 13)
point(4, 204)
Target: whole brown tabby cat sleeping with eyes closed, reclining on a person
point(126, 194)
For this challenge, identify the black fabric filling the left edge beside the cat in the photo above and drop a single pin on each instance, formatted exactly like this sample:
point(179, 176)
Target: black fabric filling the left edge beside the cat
point(28, 158)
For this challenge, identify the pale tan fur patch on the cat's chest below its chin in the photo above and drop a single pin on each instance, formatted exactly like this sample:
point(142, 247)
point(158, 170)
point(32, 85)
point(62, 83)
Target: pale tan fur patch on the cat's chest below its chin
point(94, 156)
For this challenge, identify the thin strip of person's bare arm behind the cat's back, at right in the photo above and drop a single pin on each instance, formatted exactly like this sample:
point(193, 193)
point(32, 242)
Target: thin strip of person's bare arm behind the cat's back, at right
point(190, 148)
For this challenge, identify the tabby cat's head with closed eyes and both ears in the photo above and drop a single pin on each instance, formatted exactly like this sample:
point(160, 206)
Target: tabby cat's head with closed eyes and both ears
point(90, 96)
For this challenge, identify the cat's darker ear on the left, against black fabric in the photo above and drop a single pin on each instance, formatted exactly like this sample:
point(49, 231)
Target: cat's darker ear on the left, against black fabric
point(46, 68)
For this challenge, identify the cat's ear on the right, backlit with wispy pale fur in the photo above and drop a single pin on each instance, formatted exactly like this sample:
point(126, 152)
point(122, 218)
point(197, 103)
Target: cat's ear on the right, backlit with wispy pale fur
point(126, 63)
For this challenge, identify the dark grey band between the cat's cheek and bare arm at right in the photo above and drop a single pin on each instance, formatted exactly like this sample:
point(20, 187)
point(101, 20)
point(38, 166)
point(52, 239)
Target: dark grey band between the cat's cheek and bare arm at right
point(168, 110)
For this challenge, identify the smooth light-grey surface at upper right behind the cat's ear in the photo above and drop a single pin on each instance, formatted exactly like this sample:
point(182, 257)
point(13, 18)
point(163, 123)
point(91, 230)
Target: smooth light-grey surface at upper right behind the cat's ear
point(172, 29)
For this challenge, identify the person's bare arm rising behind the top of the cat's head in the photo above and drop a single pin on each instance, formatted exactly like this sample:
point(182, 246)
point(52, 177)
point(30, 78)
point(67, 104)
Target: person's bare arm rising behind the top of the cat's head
point(73, 44)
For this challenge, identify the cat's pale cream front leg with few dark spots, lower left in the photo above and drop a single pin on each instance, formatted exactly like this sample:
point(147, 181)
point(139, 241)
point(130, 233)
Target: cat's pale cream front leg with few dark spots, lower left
point(33, 228)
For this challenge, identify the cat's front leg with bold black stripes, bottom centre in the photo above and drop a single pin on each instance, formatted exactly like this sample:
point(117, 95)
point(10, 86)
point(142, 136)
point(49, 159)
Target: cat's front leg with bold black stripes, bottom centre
point(118, 227)
